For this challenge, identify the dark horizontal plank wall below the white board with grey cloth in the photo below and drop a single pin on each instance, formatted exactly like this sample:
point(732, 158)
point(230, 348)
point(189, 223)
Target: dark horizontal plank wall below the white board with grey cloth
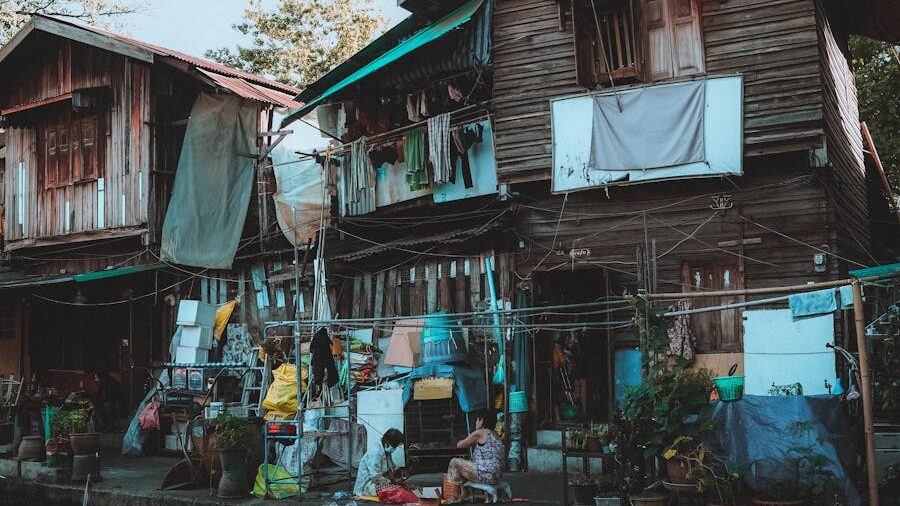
point(614, 228)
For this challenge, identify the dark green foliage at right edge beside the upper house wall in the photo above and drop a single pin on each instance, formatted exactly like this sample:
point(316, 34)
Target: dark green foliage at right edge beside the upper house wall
point(876, 67)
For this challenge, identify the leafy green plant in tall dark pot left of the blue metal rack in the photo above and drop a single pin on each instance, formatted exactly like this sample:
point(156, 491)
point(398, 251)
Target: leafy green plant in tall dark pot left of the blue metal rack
point(231, 434)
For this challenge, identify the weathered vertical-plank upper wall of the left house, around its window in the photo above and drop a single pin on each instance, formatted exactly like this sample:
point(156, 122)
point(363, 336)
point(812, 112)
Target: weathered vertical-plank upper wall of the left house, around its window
point(126, 173)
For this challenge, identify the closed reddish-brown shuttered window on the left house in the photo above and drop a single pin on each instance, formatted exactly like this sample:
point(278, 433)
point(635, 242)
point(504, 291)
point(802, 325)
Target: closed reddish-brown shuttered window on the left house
point(71, 148)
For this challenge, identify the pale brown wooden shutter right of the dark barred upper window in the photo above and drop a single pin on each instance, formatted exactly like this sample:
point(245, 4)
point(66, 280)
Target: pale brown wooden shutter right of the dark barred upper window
point(674, 45)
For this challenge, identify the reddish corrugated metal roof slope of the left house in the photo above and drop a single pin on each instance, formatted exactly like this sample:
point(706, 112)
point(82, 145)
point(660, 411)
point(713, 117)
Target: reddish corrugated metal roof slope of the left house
point(241, 83)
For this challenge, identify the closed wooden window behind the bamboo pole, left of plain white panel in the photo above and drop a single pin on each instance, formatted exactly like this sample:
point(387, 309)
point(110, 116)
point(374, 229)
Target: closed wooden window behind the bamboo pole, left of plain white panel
point(715, 331)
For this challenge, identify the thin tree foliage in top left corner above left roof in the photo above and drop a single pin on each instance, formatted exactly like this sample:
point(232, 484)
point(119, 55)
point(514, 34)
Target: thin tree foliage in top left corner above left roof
point(15, 13)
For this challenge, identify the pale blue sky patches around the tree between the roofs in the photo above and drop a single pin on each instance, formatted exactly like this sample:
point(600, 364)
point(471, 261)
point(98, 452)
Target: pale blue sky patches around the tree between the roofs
point(193, 26)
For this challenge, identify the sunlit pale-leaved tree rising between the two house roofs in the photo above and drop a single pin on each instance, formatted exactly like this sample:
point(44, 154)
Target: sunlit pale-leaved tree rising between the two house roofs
point(300, 40)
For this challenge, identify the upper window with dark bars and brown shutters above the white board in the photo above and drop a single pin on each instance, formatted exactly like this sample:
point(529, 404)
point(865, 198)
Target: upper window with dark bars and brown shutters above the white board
point(617, 41)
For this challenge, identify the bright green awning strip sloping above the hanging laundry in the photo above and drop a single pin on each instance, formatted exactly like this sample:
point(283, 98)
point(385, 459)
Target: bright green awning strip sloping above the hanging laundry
point(434, 32)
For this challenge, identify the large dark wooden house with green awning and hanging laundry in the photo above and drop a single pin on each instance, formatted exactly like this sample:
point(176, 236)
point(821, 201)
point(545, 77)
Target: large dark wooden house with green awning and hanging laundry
point(595, 194)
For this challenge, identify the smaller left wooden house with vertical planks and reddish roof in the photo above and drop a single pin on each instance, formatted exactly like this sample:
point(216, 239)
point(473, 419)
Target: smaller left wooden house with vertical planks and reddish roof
point(94, 124)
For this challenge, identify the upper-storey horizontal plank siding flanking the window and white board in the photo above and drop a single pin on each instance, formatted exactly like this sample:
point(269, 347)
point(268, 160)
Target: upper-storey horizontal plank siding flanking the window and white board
point(774, 44)
